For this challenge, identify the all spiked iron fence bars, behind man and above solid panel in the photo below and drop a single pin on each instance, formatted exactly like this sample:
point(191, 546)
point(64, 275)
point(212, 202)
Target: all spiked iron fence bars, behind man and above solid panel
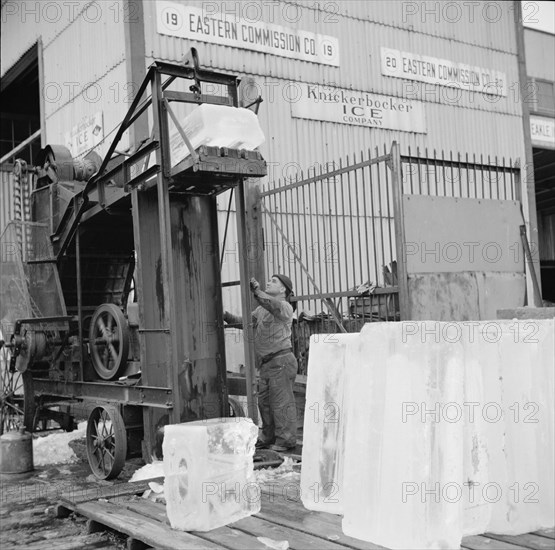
point(332, 230)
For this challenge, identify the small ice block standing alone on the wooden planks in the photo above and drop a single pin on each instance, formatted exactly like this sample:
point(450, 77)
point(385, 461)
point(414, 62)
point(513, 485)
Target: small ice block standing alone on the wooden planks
point(209, 478)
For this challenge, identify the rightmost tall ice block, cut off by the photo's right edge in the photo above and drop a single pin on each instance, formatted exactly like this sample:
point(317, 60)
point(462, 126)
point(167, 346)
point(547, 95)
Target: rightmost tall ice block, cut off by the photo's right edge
point(519, 413)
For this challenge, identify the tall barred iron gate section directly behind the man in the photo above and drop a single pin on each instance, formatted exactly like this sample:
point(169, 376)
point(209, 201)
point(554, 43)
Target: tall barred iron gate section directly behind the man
point(333, 232)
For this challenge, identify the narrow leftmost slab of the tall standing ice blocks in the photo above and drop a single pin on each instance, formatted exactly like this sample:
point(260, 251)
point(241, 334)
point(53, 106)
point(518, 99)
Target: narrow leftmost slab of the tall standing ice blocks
point(324, 423)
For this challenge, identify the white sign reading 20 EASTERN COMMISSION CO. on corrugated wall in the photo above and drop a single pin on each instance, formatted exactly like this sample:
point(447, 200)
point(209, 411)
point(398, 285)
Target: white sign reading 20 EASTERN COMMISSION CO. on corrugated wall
point(442, 72)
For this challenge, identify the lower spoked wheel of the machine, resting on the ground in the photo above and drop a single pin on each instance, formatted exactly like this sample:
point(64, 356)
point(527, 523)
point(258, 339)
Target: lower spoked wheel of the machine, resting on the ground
point(106, 442)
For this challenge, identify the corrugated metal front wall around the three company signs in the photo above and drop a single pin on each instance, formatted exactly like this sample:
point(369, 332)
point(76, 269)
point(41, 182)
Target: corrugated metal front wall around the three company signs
point(459, 120)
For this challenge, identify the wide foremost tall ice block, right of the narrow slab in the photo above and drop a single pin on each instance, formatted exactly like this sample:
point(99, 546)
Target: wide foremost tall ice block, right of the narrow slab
point(403, 462)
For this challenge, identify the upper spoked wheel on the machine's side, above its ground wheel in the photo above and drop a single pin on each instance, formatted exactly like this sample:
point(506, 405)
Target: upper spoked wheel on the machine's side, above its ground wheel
point(108, 341)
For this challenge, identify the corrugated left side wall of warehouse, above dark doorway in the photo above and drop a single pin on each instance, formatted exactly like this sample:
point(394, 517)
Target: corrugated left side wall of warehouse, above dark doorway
point(83, 60)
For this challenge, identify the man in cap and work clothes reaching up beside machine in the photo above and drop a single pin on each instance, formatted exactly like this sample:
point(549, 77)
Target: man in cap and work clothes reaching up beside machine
point(276, 364)
